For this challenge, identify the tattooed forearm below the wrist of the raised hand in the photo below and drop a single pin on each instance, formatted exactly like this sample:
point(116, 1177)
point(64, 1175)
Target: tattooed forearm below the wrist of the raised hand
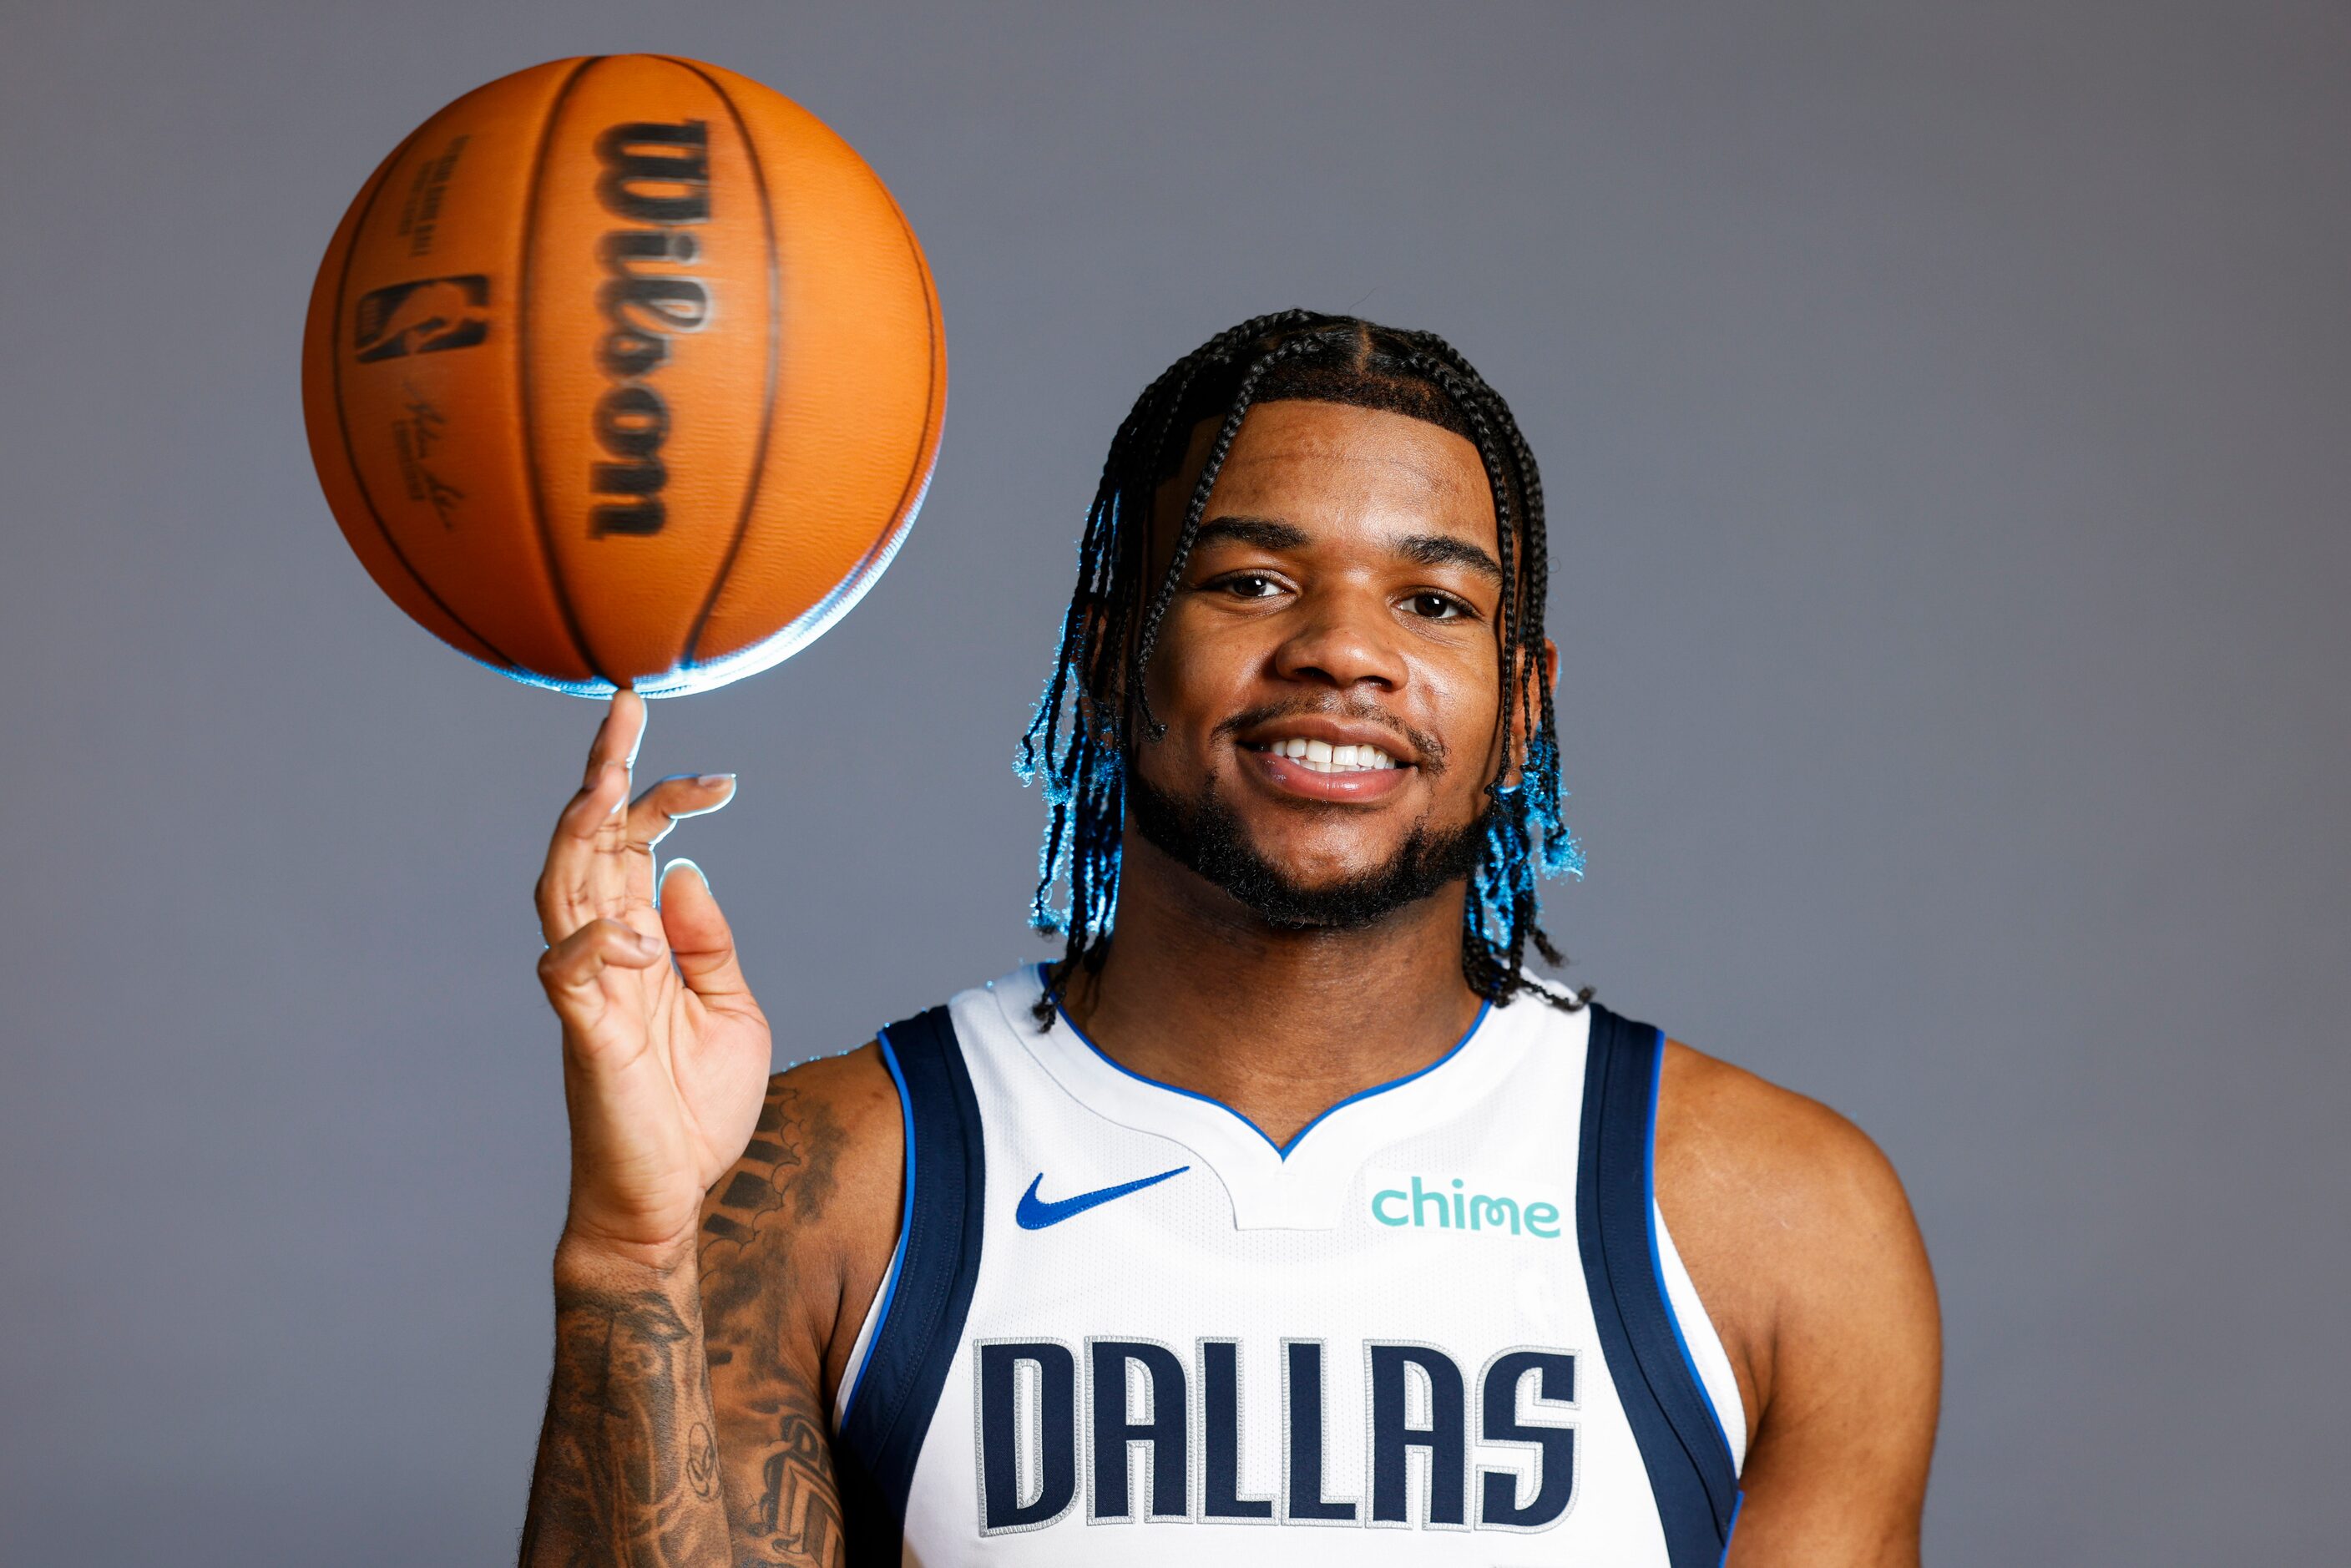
point(627, 1459)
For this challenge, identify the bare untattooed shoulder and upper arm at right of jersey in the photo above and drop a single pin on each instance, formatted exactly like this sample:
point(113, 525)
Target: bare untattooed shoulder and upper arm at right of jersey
point(1807, 1257)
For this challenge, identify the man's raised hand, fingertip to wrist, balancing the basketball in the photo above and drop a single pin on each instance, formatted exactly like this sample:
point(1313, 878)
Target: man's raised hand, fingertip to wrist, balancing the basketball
point(667, 1054)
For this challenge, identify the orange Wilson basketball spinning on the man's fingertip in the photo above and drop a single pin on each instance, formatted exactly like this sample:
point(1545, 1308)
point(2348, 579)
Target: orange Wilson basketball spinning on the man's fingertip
point(624, 373)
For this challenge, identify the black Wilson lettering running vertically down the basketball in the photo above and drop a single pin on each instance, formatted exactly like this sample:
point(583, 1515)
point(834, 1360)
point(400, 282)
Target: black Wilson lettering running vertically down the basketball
point(657, 177)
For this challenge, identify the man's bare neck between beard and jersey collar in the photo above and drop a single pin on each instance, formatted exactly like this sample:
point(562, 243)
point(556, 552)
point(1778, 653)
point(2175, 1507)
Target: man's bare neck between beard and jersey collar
point(1200, 993)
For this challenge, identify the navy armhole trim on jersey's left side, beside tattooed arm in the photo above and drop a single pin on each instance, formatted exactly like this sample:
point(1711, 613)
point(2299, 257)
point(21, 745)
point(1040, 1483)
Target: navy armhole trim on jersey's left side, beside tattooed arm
point(930, 1296)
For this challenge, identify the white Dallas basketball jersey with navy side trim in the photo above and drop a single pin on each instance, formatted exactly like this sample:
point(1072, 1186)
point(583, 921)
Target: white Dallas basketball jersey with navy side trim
point(1442, 1325)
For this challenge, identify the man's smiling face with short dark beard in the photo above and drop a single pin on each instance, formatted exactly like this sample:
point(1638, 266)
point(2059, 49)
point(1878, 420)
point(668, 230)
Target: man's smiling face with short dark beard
point(1327, 666)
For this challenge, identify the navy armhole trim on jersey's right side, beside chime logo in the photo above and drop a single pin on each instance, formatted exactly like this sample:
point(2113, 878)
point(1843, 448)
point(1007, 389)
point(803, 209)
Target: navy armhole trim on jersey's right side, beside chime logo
point(1673, 1421)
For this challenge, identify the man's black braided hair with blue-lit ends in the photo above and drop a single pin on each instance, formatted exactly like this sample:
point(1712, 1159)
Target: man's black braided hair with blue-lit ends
point(1094, 702)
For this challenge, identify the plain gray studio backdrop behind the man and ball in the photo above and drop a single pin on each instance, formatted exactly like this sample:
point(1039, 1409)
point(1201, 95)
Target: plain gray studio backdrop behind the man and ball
point(1948, 427)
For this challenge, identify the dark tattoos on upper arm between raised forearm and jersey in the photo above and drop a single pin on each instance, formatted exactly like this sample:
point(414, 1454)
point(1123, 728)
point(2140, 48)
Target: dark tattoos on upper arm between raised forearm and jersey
point(775, 1447)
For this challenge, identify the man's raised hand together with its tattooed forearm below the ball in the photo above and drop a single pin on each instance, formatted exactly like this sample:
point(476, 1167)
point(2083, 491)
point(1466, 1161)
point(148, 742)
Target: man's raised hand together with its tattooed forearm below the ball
point(667, 1064)
